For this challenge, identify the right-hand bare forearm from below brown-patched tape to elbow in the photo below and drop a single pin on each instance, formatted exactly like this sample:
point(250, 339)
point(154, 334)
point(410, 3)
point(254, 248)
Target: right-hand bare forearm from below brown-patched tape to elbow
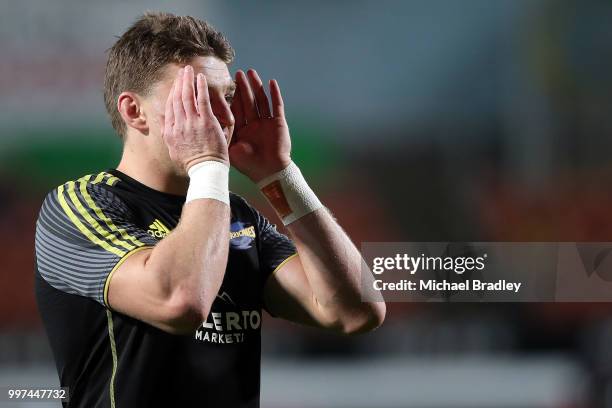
point(335, 270)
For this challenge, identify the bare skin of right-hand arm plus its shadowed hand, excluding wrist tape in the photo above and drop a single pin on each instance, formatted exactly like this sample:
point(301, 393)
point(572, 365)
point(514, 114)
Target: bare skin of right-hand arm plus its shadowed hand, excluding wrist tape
point(321, 286)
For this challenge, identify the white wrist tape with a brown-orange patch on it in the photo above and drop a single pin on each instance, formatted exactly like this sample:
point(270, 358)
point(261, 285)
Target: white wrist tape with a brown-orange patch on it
point(289, 194)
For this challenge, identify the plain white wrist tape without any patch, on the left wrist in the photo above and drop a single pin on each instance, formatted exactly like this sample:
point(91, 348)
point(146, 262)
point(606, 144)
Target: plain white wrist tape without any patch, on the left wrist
point(209, 179)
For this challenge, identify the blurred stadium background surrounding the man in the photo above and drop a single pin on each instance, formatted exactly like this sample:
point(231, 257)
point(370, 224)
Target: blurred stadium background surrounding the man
point(415, 120)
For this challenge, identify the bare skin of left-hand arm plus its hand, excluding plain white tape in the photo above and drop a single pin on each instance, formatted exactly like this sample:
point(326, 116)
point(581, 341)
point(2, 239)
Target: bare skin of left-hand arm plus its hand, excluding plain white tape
point(173, 285)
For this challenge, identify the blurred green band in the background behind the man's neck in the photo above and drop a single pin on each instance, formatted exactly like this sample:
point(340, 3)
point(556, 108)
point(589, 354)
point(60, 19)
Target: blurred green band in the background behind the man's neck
point(44, 158)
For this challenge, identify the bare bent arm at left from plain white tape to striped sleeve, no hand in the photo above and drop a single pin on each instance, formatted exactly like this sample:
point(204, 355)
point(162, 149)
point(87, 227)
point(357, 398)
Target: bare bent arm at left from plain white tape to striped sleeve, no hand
point(173, 285)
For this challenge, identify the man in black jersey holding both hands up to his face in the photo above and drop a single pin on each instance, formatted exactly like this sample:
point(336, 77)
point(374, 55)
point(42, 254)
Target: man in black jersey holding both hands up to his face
point(151, 277)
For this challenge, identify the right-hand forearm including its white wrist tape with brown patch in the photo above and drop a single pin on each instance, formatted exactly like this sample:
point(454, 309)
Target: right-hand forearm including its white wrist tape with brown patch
point(331, 264)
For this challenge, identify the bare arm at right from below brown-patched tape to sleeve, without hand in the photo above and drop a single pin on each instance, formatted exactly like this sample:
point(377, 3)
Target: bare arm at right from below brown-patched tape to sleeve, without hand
point(321, 286)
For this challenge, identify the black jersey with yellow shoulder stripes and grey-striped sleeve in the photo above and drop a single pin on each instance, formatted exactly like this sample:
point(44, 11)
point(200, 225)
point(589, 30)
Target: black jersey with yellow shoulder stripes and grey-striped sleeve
point(84, 231)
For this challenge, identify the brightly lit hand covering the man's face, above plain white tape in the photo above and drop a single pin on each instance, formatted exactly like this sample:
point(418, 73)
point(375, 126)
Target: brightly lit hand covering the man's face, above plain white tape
point(191, 130)
